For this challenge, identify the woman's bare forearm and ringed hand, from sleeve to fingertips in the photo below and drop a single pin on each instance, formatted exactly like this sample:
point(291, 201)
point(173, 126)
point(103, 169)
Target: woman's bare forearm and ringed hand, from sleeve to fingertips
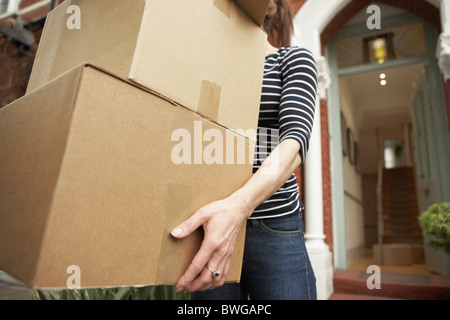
point(222, 220)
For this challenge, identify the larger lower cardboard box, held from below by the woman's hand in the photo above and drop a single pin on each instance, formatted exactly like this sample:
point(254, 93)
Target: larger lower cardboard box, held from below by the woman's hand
point(89, 178)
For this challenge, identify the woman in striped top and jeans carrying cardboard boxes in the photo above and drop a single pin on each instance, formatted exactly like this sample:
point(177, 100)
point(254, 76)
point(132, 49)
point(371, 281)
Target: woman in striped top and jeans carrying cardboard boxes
point(276, 265)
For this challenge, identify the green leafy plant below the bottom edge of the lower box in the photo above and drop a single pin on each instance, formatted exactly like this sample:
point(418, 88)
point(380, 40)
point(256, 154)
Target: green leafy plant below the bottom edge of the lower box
point(142, 293)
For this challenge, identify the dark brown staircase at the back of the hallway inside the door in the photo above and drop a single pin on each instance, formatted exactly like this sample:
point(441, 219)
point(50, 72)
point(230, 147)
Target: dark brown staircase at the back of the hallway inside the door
point(400, 206)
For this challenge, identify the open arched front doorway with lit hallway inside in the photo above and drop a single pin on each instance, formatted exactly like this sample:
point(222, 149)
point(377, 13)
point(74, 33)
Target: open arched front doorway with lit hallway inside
point(379, 131)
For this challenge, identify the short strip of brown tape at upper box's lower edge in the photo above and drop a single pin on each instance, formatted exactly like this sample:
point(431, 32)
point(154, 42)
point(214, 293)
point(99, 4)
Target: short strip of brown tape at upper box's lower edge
point(209, 100)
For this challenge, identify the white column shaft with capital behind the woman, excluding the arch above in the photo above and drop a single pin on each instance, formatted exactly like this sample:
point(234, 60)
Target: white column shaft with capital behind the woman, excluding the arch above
point(319, 253)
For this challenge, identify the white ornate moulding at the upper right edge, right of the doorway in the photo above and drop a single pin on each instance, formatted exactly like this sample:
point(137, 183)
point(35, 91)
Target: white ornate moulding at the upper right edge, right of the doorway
point(443, 48)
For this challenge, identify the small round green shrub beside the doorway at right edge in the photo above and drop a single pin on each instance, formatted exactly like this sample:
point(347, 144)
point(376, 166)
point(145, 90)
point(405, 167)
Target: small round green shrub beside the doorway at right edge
point(435, 222)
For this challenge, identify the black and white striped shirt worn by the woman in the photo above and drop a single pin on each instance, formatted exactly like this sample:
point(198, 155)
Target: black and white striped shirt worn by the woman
point(287, 112)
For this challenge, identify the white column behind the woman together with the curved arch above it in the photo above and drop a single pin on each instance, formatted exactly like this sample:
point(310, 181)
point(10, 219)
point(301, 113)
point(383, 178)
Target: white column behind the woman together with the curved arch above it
point(308, 24)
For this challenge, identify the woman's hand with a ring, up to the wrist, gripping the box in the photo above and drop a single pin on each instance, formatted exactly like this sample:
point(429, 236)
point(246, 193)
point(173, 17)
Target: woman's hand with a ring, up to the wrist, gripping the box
point(221, 221)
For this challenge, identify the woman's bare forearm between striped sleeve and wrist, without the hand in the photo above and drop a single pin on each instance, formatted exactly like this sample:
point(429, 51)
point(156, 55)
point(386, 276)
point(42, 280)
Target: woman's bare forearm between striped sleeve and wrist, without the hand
point(272, 174)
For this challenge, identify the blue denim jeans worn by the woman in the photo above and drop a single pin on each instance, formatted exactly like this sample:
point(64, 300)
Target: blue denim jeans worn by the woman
point(276, 265)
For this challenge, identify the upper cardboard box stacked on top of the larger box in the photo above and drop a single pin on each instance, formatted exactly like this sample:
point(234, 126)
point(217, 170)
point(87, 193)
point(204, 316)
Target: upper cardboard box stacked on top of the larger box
point(207, 55)
